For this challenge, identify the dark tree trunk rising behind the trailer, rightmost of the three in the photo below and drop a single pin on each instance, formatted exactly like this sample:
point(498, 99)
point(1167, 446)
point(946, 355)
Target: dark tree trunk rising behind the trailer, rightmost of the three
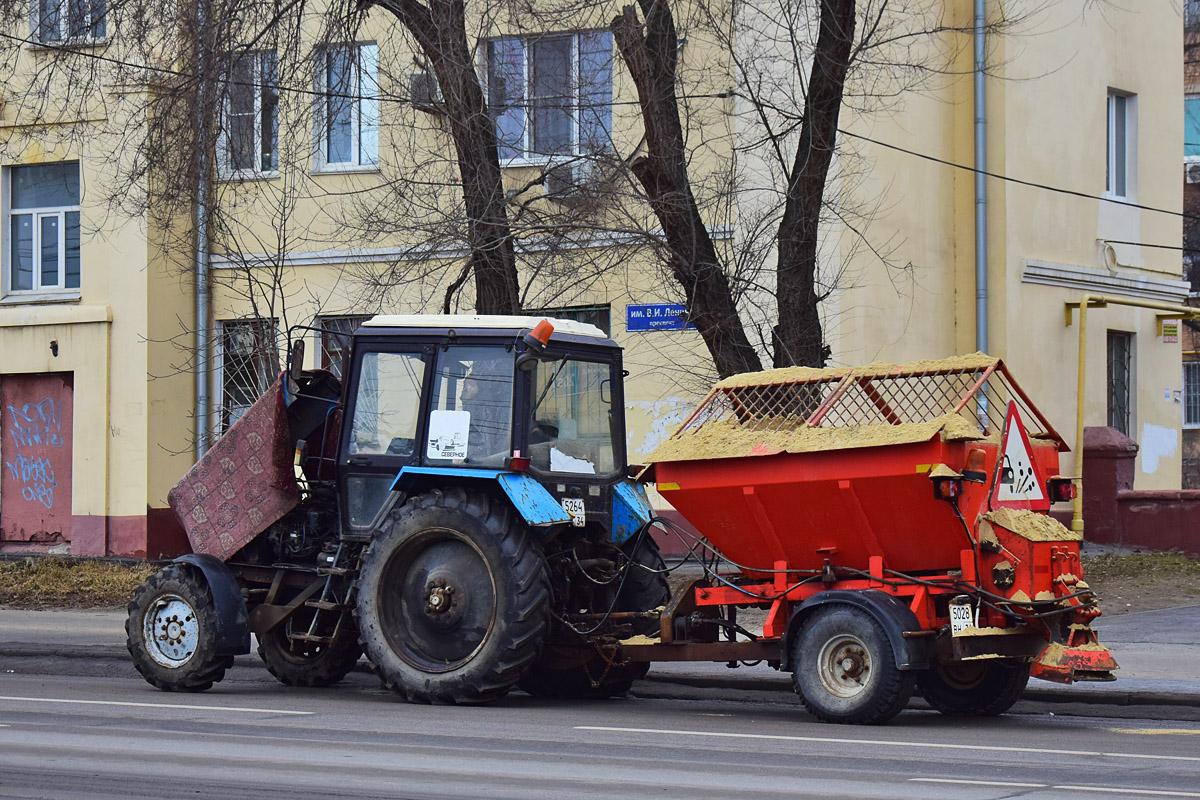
point(799, 339)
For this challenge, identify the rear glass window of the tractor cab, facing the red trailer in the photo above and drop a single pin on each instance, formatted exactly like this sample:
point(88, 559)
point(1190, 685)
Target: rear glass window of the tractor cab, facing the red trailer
point(571, 425)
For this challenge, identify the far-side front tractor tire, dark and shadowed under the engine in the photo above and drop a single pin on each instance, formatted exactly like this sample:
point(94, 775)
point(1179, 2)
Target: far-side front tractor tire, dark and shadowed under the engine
point(309, 664)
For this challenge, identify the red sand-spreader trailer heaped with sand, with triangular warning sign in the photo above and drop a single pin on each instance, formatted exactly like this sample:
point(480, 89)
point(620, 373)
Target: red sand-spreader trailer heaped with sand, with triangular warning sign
point(895, 524)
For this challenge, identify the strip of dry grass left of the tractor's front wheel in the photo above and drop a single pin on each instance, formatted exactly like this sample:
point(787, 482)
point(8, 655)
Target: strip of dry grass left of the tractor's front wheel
point(69, 584)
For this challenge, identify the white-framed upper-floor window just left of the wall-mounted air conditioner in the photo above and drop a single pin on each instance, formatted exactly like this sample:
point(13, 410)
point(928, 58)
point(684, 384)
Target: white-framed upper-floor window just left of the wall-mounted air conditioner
point(365, 111)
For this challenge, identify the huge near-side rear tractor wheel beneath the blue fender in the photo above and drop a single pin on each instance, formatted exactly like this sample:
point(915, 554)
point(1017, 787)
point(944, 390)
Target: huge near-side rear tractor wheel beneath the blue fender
point(454, 599)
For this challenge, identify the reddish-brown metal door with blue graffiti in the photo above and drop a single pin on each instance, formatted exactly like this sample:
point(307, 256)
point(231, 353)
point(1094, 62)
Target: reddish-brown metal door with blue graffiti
point(35, 458)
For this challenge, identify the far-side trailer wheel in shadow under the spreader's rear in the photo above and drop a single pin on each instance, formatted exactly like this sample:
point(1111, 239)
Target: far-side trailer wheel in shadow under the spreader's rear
point(974, 688)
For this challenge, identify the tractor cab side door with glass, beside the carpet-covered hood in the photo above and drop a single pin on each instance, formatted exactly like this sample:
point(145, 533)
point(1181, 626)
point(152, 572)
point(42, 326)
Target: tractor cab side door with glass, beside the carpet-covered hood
point(383, 428)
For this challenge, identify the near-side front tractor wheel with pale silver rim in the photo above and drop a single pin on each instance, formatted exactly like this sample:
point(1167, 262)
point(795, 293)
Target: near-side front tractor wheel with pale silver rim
point(171, 633)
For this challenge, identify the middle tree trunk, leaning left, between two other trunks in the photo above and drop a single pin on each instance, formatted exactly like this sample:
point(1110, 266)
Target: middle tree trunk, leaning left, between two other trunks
point(651, 55)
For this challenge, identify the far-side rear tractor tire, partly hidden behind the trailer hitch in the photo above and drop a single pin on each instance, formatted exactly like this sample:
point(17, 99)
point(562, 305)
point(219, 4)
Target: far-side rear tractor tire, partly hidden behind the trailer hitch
point(584, 672)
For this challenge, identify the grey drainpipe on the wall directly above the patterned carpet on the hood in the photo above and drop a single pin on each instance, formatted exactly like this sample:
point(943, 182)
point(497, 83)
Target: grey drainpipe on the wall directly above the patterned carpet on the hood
point(203, 333)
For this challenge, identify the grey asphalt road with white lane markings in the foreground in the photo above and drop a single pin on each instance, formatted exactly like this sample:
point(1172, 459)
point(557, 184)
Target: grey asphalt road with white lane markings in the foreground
point(115, 737)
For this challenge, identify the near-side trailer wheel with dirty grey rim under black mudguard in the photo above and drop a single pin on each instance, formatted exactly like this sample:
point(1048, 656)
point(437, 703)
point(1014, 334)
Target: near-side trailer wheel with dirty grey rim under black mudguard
point(845, 670)
